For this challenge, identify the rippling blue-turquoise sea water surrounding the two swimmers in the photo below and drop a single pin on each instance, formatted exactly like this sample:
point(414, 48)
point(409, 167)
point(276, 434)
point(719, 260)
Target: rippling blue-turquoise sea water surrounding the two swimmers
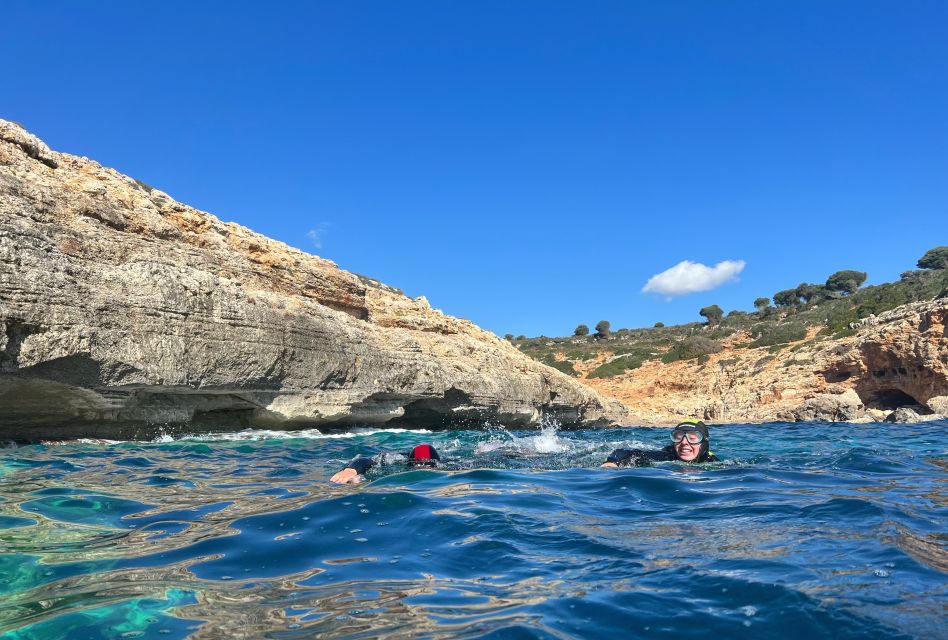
point(805, 531)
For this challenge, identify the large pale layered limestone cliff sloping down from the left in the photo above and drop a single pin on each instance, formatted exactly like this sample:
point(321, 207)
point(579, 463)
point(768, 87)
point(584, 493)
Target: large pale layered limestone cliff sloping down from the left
point(122, 309)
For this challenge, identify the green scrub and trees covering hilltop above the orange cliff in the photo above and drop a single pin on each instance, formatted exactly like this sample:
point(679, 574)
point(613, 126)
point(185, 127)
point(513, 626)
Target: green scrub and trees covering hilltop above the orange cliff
point(804, 310)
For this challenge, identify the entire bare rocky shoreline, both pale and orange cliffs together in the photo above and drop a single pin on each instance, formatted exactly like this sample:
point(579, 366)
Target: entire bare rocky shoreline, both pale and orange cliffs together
point(124, 314)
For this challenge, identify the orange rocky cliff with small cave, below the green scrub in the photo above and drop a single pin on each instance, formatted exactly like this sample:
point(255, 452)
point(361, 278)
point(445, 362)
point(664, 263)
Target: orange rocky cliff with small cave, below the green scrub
point(896, 361)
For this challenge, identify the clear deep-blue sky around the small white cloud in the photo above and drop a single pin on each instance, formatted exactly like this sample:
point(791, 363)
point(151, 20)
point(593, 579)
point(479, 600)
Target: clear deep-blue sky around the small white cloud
point(526, 165)
